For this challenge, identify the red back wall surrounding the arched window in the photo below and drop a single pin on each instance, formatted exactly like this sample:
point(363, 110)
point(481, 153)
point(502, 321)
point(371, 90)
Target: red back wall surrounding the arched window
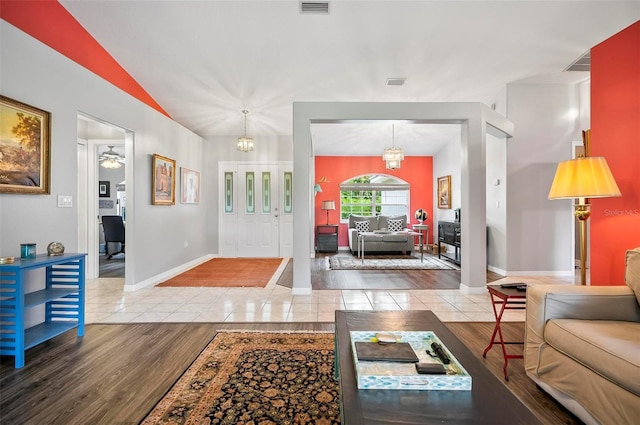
point(416, 170)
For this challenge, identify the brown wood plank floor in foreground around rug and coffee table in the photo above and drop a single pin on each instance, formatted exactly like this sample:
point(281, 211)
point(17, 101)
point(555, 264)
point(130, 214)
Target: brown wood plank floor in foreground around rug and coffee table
point(116, 374)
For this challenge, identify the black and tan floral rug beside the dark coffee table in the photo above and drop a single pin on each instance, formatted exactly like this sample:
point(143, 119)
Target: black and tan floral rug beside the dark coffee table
point(256, 378)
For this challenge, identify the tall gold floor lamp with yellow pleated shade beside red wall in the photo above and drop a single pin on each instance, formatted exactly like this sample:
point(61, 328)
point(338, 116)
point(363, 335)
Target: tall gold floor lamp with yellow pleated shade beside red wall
point(583, 178)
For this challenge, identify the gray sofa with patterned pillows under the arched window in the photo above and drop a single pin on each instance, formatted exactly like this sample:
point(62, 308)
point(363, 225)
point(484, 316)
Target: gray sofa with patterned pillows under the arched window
point(383, 239)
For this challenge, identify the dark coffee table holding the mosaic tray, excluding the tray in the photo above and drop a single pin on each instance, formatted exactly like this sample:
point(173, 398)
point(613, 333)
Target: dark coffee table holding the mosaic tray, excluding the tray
point(489, 401)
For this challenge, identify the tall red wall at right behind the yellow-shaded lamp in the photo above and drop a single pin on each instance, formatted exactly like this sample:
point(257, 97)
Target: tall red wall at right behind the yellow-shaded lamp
point(615, 135)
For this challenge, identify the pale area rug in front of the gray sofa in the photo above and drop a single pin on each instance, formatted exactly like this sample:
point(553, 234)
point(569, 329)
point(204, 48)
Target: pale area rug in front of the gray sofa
point(406, 262)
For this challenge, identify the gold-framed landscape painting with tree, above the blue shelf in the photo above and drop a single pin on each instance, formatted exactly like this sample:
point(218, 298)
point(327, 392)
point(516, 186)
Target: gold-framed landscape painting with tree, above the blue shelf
point(24, 148)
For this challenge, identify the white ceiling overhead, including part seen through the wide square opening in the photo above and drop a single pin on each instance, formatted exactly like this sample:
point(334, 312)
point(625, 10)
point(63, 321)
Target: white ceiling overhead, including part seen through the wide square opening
point(204, 61)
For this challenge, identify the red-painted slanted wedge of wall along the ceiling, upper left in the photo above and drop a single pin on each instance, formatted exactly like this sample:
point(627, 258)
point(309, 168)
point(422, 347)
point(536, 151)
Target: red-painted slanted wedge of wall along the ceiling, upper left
point(49, 22)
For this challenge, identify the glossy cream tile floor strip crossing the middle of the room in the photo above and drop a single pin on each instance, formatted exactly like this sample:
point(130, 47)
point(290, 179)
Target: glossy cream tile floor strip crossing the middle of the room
point(106, 302)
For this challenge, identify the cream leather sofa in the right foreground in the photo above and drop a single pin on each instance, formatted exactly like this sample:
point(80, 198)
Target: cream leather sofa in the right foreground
point(582, 346)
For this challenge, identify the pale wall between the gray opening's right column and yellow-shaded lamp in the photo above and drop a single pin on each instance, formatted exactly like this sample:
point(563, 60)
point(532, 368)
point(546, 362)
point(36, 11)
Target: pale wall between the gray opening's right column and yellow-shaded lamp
point(547, 120)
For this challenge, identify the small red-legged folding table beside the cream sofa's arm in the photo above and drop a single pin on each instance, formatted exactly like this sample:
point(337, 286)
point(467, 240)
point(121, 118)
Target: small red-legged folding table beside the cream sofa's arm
point(508, 298)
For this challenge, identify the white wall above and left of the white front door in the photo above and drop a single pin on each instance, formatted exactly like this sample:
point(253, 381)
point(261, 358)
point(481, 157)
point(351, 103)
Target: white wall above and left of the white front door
point(223, 148)
